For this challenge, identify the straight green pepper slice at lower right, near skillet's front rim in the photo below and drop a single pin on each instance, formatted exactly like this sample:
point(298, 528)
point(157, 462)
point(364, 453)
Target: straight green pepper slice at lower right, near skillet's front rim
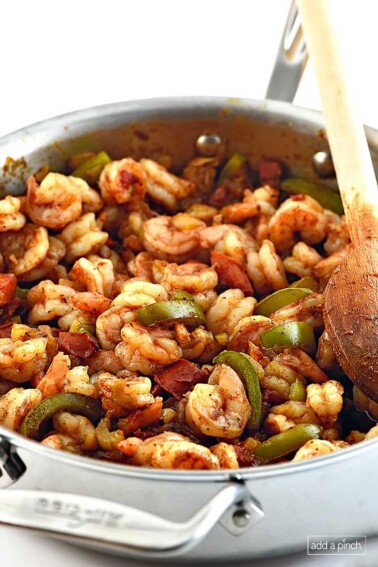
point(290, 440)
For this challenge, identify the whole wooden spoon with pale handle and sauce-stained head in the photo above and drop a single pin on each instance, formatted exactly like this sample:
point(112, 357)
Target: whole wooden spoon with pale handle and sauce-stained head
point(351, 296)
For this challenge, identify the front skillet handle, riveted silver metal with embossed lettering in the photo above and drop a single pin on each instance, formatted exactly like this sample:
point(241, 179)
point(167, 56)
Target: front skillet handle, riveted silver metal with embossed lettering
point(84, 519)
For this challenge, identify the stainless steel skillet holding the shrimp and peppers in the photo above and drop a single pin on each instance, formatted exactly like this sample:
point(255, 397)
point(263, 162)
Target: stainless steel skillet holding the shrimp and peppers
point(191, 515)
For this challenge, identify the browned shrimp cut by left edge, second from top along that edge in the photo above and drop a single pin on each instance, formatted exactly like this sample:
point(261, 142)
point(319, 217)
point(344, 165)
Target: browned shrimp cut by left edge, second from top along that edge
point(22, 251)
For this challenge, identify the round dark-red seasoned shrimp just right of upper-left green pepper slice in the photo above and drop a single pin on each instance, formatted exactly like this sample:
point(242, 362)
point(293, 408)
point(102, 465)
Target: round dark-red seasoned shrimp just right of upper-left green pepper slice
point(123, 181)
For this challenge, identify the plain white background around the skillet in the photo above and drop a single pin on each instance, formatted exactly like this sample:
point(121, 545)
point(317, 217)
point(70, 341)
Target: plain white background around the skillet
point(56, 57)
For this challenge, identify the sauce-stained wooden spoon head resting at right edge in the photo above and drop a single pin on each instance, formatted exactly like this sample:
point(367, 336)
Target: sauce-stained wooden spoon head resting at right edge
point(351, 316)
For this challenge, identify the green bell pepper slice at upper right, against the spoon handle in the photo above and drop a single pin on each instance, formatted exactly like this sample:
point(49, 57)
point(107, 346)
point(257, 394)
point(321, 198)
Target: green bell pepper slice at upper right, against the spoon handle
point(326, 197)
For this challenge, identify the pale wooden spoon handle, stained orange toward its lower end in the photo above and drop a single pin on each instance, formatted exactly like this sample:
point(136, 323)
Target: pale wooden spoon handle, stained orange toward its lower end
point(346, 135)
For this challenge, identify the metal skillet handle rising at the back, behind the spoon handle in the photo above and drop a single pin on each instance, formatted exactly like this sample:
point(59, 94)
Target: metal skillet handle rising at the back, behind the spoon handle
point(290, 62)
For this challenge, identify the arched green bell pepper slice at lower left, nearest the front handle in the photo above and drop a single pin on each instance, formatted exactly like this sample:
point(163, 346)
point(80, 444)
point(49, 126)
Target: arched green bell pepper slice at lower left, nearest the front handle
point(75, 403)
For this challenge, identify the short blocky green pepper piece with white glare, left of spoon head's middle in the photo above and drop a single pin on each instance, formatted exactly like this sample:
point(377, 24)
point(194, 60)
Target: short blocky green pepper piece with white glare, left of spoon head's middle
point(290, 334)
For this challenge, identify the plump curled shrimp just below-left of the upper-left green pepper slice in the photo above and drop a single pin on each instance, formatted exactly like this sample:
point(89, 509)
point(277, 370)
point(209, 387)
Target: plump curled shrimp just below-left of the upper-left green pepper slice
point(56, 201)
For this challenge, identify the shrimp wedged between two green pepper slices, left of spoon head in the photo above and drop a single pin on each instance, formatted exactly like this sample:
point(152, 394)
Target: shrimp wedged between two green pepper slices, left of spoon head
point(308, 310)
